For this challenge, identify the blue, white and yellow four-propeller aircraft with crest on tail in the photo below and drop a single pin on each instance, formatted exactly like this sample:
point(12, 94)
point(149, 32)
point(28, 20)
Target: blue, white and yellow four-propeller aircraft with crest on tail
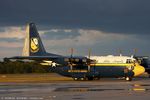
point(79, 68)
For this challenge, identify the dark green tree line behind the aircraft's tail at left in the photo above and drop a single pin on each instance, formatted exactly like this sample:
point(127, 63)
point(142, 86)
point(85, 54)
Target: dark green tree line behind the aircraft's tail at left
point(16, 67)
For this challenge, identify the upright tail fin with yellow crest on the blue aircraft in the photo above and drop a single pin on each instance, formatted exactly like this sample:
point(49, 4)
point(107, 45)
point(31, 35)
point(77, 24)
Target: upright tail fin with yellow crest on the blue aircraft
point(33, 45)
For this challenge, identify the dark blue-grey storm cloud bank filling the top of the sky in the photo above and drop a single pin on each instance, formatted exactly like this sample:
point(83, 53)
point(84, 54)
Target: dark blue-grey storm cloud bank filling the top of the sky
point(120, 16)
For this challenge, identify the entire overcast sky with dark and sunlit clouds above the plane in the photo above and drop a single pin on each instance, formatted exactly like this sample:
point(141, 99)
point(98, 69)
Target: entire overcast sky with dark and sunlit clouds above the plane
point(105, 26)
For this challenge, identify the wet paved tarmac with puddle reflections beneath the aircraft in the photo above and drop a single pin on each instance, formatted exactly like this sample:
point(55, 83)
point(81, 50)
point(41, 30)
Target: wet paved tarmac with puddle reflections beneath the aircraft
point(104, 89)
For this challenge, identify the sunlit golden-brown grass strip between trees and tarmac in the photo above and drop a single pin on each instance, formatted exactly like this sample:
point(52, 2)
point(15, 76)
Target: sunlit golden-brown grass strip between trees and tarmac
point(42, 77)
